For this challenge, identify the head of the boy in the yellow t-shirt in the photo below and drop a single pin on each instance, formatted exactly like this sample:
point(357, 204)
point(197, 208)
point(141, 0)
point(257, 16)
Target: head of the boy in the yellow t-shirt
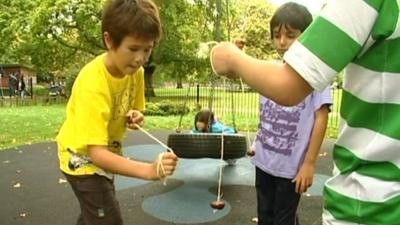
point(130, 29)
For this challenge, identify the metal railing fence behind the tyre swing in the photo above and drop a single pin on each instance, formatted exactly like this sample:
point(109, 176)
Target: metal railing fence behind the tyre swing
point(232, 100)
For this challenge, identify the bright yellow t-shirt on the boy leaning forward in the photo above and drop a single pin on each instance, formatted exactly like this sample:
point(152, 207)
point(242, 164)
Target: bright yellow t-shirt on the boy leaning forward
point(96, 113)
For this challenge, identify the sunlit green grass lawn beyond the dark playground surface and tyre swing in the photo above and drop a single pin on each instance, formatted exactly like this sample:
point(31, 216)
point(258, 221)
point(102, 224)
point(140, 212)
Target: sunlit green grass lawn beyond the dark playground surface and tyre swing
point(33, 124)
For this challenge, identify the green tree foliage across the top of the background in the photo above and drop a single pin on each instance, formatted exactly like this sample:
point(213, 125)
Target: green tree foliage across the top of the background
point(56, 36)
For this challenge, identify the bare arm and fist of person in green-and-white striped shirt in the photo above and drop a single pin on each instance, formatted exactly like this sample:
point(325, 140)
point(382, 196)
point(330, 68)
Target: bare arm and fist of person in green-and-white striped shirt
point(276, 81)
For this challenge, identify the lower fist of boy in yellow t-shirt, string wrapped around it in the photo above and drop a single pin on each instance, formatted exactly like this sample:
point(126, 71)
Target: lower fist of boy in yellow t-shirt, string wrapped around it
point(165, 165)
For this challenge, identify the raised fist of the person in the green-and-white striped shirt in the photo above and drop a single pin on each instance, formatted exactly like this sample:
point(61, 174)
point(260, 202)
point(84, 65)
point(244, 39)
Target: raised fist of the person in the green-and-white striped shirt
point(221, 54)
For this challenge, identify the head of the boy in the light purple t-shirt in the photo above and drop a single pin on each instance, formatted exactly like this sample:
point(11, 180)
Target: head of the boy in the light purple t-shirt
point(287, 23)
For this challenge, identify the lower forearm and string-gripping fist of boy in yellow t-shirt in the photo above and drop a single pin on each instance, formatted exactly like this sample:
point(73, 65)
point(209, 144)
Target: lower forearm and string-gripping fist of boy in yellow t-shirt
point(117, 164)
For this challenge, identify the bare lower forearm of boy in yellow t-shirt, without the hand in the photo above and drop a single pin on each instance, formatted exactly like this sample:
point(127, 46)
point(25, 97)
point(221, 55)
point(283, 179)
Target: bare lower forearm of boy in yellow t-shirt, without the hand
point(117, 164)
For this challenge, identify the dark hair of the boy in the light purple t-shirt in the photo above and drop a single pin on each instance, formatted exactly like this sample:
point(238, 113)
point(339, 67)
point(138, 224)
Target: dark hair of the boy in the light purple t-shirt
point(295, 15)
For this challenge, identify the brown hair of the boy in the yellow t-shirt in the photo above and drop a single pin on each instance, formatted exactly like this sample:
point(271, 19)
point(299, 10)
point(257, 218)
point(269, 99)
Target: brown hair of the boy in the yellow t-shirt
point(131, 17)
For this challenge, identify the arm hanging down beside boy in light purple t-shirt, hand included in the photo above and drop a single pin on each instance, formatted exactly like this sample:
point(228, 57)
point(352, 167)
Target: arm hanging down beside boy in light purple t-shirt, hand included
point(304, 178)
